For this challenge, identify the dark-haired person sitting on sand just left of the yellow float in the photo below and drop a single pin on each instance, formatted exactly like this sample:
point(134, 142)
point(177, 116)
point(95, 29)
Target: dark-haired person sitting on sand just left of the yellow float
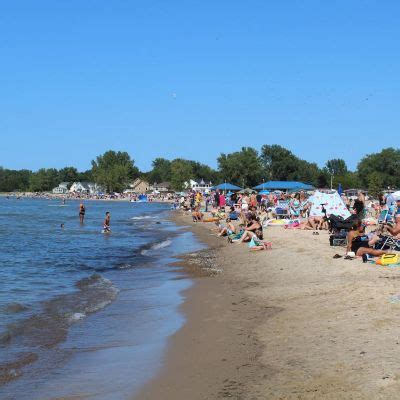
point(361, 243)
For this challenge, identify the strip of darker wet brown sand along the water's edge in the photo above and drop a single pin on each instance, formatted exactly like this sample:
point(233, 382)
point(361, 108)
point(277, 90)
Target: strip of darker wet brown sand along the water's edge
point(200, 363)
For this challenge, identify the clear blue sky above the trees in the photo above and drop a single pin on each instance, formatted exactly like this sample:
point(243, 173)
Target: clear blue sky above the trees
point(192, 79)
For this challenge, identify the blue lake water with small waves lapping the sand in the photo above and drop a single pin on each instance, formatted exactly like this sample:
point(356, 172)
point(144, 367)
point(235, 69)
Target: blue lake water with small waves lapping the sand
point(83, 313)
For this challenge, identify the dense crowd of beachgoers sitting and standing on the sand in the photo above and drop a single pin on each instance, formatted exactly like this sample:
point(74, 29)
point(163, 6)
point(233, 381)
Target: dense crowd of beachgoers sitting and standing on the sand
point(241, 217)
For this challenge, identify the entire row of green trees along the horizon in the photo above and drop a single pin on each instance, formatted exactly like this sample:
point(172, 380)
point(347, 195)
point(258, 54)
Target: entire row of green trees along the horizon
point(246, 167)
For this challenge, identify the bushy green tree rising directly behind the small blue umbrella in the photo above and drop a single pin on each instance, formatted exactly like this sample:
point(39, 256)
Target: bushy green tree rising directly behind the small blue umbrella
point(242, 167)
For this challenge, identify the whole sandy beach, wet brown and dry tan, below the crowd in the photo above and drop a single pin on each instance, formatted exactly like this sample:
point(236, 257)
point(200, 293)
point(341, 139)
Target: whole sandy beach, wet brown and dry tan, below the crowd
point(289, 323)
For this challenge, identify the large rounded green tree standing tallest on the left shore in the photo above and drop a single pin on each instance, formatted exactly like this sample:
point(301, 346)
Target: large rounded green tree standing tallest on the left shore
point(114, 170)
